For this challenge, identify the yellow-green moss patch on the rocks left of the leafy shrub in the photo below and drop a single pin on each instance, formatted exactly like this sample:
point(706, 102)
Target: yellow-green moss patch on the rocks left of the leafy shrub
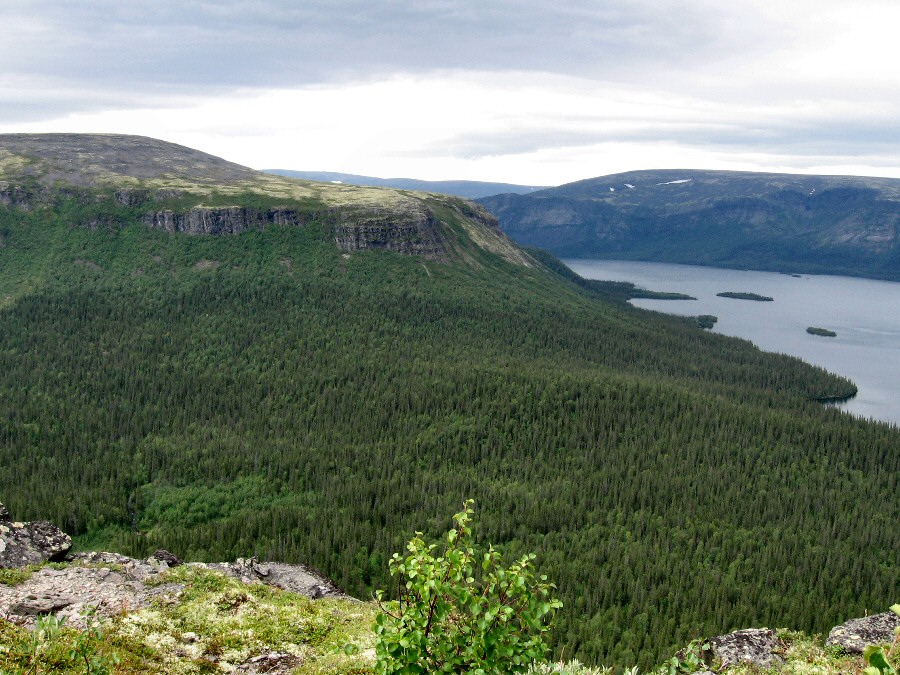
point(221, 622)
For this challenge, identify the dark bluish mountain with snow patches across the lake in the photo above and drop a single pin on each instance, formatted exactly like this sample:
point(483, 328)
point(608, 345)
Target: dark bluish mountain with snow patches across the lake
point(778, 222)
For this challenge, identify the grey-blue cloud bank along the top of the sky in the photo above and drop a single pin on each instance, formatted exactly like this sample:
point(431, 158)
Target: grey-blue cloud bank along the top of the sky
point(160, 46)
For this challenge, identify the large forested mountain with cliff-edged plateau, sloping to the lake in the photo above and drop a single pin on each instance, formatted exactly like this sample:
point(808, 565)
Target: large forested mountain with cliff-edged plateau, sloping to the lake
point(223, 363)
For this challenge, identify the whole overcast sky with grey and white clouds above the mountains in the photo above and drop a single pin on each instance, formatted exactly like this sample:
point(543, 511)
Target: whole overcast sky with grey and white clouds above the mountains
point(521, 91)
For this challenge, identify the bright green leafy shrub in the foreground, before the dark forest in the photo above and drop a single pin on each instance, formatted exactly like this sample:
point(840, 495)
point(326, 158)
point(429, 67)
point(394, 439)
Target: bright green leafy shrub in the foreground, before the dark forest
point(446, 620)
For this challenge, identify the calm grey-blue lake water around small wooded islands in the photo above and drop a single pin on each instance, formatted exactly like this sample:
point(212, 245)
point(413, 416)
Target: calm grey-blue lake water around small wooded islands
point(864, 313)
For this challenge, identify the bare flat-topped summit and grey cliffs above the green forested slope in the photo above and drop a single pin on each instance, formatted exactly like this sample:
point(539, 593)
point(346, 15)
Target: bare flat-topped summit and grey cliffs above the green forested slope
point(114, 178)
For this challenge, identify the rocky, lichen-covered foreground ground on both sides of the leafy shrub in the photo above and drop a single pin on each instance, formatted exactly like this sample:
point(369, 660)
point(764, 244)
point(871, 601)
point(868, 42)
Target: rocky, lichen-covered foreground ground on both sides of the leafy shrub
point(162, 615)
